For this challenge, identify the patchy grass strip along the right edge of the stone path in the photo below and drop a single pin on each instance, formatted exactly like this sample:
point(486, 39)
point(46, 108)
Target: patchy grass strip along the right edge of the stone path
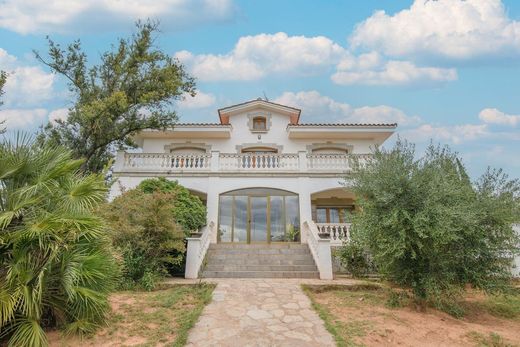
point(344, 333)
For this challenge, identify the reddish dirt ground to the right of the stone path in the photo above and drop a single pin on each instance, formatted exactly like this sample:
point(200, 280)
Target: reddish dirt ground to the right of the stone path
point(363, 319)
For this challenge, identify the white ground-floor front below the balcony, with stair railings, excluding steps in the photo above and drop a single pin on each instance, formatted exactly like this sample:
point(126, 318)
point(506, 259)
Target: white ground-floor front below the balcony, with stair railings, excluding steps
point(268, 210)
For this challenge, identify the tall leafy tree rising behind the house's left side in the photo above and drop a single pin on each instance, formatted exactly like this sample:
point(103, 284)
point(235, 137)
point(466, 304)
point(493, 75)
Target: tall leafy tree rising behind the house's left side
point(131, 89)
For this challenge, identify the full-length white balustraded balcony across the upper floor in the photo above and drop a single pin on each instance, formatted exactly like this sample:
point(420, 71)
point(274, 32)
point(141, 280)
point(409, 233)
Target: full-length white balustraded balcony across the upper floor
point(301, 162)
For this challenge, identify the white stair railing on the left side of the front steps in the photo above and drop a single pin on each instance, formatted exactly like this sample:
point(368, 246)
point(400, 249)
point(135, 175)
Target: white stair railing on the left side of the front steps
point(196, 250)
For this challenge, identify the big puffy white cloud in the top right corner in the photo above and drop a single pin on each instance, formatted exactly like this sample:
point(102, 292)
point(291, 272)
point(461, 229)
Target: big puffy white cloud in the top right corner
point(452, 29)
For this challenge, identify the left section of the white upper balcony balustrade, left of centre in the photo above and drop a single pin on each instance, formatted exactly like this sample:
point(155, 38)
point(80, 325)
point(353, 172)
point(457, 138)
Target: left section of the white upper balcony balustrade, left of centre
point(166, 162)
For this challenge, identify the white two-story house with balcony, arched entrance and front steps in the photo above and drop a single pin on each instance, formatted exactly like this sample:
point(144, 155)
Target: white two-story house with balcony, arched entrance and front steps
point(273, 186)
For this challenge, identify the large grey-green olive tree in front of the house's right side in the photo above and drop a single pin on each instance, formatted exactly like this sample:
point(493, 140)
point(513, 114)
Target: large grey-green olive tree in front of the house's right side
point(427, 227)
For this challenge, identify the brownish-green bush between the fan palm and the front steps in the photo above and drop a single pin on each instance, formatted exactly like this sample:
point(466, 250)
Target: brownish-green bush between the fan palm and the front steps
point(145, 232)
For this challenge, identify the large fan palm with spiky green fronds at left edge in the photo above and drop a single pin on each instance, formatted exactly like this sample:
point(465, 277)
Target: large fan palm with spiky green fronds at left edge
point(56, 265)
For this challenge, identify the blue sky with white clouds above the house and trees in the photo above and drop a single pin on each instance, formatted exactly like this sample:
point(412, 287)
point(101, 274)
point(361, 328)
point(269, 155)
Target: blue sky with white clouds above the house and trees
point(447, 70)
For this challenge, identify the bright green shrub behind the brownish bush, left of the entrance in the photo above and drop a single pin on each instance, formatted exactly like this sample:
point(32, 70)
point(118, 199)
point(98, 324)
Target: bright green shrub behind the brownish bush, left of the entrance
point(188, 210)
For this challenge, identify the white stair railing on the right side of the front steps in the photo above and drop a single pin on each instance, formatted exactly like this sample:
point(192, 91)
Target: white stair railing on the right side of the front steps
point(320, 250)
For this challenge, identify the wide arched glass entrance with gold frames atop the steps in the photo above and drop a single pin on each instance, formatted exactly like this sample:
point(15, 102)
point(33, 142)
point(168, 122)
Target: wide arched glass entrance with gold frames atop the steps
point(262, 215)
